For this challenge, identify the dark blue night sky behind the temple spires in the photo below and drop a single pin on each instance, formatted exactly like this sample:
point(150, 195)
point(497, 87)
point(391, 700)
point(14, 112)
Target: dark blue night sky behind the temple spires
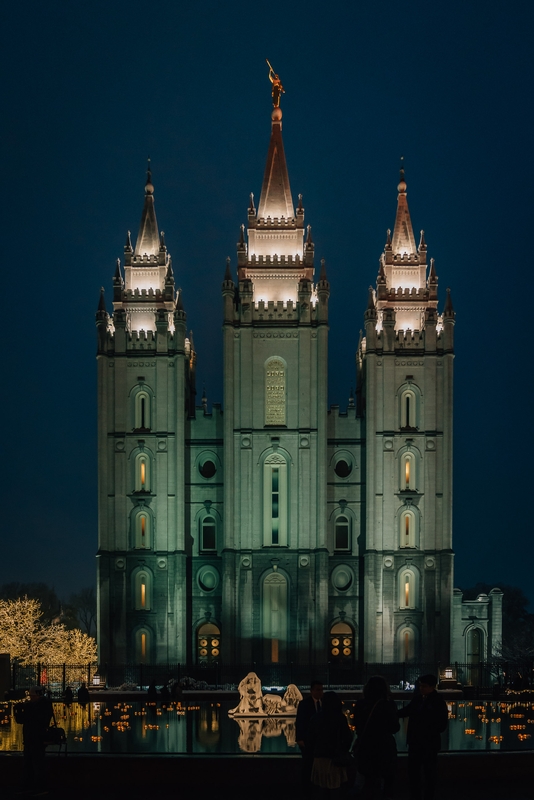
point(90, 89)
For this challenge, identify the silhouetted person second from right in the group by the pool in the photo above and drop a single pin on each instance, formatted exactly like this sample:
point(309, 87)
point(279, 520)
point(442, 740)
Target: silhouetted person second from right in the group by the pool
point(376, 721)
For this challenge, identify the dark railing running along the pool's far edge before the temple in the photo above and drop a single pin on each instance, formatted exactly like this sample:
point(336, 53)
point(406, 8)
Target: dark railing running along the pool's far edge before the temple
point(483, 675)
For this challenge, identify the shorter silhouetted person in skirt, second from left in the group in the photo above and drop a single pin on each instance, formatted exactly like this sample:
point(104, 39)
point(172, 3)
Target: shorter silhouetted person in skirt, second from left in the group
point(329, 738)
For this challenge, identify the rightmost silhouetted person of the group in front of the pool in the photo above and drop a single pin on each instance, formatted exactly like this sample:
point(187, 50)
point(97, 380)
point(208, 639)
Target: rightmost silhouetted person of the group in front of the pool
point(427, 719)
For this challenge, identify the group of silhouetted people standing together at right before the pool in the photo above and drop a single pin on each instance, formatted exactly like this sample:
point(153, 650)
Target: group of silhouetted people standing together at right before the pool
point(336, 761)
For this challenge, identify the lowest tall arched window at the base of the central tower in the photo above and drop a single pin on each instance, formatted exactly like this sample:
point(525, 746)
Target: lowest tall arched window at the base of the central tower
point(274, 617)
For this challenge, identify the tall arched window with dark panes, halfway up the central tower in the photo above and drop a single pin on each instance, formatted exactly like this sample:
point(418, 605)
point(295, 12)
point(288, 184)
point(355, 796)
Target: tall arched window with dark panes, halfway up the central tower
point(275, 500)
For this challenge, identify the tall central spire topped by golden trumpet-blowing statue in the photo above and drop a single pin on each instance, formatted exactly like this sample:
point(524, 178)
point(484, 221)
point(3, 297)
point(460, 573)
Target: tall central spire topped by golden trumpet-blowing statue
point(275, 199)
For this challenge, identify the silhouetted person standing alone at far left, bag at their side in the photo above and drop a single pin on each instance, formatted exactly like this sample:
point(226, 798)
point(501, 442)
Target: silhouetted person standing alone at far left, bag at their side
point(34, 716)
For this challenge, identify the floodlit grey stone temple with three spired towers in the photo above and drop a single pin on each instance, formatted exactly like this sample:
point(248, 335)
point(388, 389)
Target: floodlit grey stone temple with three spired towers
point(275, 529)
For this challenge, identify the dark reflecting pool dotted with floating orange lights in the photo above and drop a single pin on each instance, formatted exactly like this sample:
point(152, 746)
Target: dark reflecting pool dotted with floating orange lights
point(205, 728)
